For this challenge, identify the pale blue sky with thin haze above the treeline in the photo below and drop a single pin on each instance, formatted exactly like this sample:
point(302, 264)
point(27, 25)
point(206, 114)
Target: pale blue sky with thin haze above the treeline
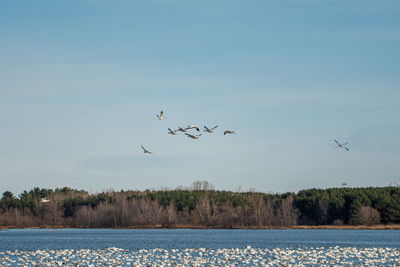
point(82, 81)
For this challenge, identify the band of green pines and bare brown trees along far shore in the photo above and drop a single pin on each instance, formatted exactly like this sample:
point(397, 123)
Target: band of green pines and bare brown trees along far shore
point(200, 206)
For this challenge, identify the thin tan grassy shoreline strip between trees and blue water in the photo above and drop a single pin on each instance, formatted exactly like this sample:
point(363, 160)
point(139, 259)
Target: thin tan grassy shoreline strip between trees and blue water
point(300, 227)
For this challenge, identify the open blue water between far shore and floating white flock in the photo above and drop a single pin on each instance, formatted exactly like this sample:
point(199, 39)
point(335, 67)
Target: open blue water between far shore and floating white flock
point(34, 239)
